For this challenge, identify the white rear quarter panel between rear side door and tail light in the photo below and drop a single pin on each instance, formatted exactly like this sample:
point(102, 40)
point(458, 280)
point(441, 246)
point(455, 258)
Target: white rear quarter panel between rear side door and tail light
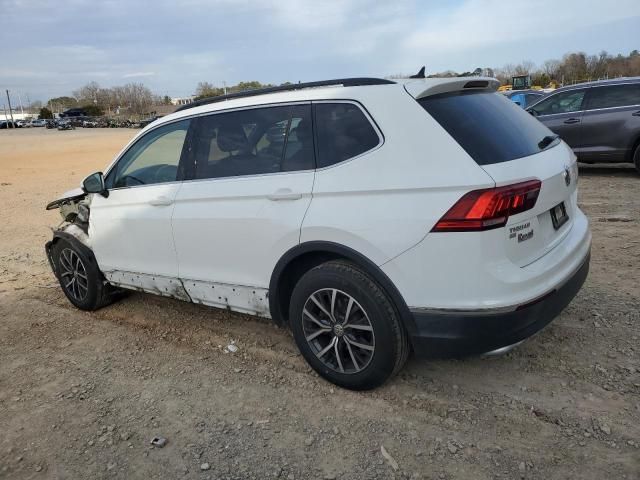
point(385, 201)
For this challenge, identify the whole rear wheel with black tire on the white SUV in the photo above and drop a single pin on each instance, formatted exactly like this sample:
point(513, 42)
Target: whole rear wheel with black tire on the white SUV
point(359, 350)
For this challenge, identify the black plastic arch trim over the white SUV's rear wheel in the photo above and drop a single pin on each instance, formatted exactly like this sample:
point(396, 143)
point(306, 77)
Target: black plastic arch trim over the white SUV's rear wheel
point(301, 258)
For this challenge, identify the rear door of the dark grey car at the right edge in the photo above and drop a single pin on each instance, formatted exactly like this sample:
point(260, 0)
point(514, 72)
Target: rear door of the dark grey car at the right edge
point(611, 122)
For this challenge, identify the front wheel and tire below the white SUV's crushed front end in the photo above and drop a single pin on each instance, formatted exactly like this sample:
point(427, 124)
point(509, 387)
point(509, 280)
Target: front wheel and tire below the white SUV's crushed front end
point(90, 293)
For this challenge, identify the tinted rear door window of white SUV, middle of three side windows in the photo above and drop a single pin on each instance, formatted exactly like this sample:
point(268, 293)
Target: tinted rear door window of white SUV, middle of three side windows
point(254, 141)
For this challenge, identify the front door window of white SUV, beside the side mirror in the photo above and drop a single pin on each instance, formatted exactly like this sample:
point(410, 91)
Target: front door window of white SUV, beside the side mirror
point(154, 158)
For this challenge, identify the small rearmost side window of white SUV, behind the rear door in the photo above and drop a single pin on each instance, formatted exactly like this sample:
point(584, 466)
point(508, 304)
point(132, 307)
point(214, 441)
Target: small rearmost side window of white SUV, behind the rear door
point(343, 132)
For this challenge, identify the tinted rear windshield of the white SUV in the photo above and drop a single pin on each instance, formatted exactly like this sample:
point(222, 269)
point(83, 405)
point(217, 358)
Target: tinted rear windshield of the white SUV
point(489, 126)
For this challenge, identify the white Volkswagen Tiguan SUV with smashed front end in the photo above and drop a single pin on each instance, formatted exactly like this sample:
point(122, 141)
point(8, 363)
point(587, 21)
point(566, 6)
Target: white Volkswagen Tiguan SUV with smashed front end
point(371, 217)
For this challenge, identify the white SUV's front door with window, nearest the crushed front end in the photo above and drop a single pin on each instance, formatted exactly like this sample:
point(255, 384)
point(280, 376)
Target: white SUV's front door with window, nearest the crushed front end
point(130, 229)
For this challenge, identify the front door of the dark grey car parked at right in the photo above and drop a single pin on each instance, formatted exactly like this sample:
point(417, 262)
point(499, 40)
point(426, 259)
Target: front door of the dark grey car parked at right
point(562, 114)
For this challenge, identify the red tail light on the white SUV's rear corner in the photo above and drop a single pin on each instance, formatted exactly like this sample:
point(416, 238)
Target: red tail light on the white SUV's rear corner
point(489, 208)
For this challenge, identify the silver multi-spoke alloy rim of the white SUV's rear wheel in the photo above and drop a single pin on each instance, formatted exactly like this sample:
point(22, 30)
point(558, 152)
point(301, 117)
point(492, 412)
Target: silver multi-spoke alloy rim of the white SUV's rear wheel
point(338, 331)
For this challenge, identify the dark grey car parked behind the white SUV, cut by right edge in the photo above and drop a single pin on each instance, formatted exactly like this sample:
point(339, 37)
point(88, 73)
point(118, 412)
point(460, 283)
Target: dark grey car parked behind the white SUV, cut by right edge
point(599, 120)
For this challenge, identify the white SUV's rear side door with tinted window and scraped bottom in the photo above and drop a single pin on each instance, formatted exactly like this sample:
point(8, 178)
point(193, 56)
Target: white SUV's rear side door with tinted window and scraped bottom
point(243, 209)
